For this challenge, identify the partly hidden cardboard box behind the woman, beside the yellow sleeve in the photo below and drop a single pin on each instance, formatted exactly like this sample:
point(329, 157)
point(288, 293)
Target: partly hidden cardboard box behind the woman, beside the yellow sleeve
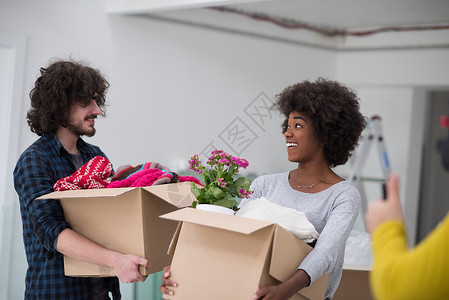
point(354, 284)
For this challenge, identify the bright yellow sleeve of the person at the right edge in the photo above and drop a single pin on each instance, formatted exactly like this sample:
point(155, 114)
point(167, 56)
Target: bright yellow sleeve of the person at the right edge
point(418, 273)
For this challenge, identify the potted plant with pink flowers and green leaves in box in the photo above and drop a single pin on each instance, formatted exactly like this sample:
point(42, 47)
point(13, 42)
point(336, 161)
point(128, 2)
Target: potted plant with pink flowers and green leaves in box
point(220, 187)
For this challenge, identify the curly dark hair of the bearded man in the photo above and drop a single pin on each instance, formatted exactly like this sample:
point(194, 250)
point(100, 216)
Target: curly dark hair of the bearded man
point(61, 85)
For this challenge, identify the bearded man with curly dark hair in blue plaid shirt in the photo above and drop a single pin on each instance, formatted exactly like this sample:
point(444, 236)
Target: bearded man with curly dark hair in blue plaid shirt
point(65, 101)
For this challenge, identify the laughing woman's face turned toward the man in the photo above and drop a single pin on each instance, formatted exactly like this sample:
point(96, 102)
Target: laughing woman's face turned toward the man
point(302, 145)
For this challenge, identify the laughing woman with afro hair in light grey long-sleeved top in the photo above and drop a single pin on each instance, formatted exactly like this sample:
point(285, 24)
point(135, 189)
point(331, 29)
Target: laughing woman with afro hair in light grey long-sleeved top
point(322, 127)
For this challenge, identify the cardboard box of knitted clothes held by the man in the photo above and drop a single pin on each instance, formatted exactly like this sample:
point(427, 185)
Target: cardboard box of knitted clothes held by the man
point(125, 220)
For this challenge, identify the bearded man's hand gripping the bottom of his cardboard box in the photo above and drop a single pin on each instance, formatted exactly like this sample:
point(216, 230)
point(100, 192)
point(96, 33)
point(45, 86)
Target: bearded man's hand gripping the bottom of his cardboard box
point(126, 267)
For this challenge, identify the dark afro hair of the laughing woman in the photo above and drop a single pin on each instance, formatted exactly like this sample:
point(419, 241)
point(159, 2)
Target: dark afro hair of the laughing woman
point(334, 111)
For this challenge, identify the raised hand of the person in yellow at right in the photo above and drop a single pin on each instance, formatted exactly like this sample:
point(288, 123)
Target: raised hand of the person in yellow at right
point(387, 209)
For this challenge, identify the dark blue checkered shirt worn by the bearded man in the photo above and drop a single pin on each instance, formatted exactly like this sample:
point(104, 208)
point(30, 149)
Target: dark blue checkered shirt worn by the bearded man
point(38, 168)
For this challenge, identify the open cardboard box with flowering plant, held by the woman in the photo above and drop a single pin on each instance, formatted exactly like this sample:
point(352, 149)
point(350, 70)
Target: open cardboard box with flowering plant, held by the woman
point(222, 257)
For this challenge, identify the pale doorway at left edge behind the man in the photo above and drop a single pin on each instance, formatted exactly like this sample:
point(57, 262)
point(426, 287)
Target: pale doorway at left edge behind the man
point(12, 62)
